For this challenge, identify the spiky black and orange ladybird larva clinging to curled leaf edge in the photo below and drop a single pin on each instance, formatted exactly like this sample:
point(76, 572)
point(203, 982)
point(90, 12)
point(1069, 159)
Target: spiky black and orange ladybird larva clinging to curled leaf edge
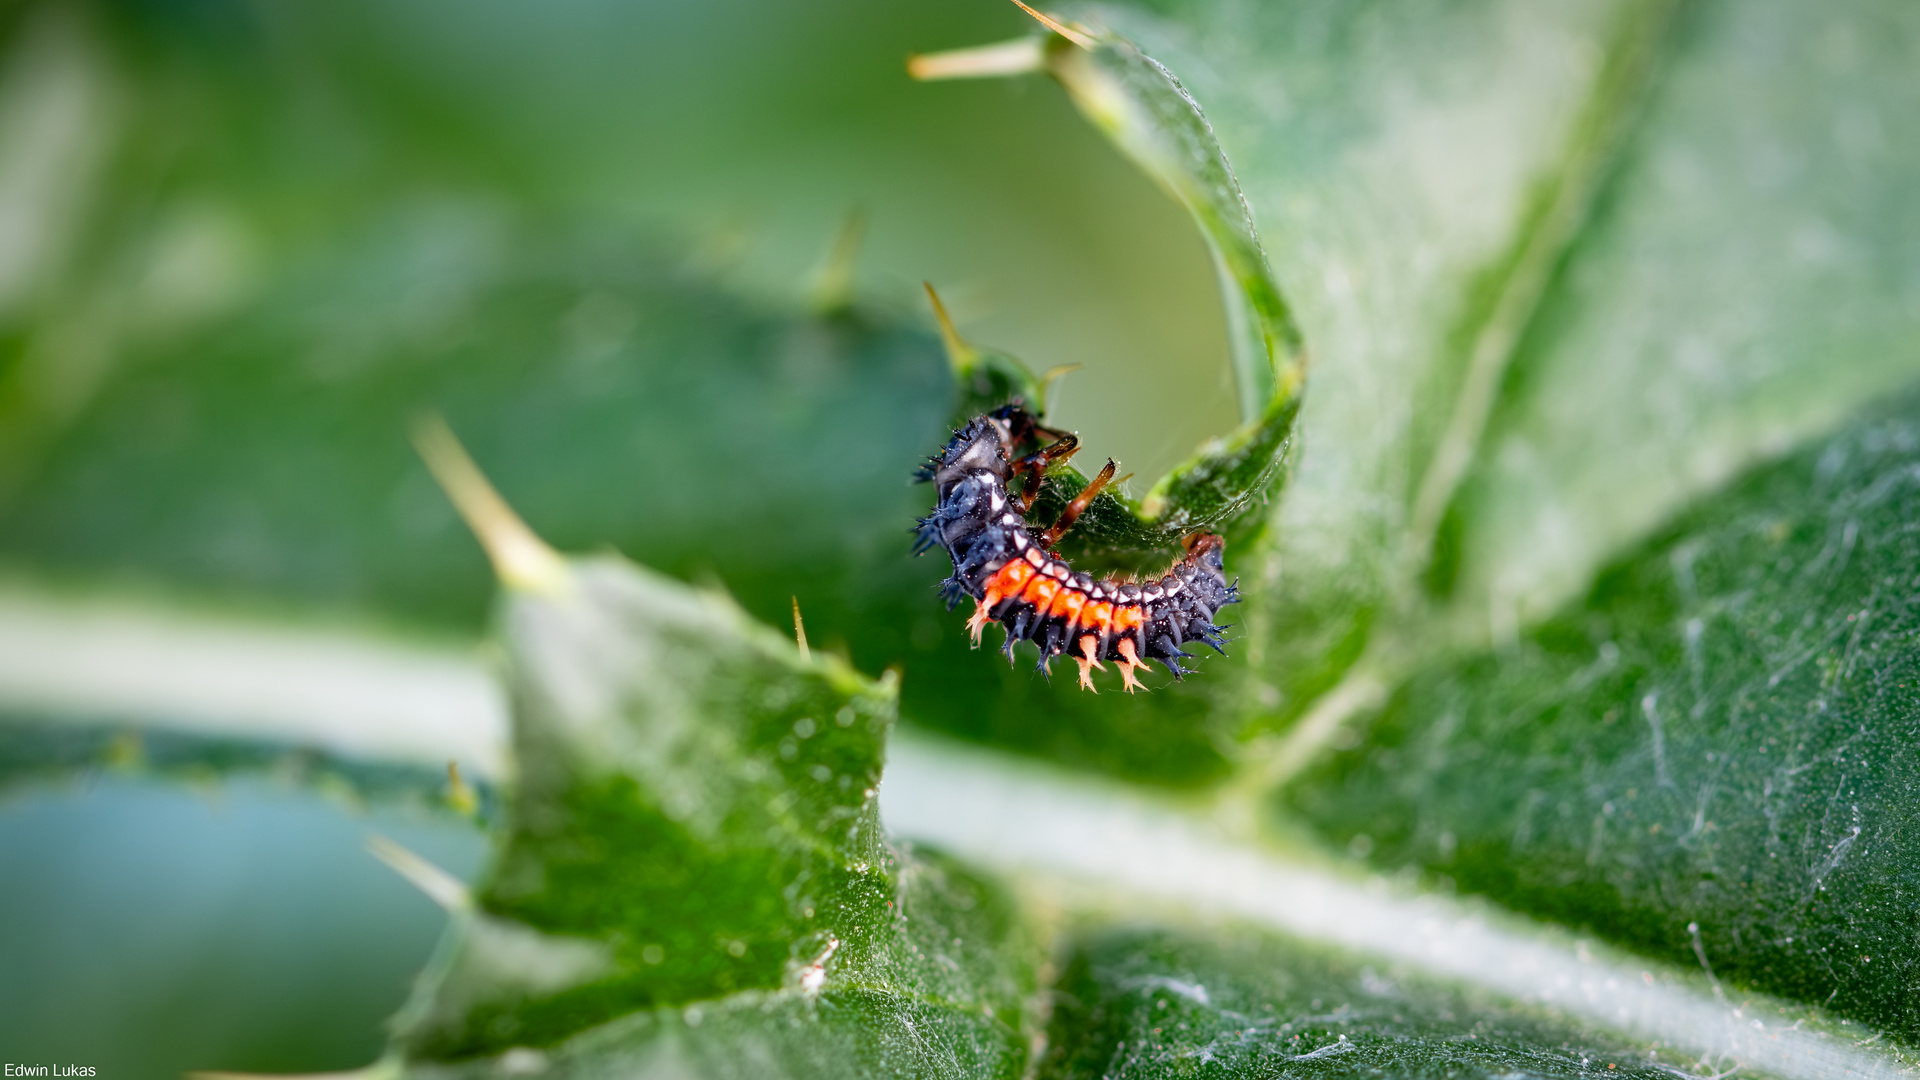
point(1036, 595)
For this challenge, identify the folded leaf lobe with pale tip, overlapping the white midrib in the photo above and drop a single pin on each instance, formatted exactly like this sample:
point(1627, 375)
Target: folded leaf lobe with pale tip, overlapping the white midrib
point(692, 862)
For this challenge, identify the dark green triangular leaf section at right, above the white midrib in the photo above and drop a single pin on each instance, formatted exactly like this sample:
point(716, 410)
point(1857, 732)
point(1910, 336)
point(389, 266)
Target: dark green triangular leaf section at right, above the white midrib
point(1710, 758)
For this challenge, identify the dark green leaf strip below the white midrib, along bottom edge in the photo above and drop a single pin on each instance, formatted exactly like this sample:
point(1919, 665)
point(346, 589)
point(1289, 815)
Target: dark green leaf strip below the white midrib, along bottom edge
point(1234, 1002)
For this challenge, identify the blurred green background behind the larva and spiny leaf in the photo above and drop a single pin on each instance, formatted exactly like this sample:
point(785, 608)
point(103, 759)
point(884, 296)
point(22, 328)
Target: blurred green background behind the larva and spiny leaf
point(243, 243)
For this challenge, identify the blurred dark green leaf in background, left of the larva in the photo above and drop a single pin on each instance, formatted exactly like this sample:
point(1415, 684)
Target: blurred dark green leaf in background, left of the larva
point(268, 454)
